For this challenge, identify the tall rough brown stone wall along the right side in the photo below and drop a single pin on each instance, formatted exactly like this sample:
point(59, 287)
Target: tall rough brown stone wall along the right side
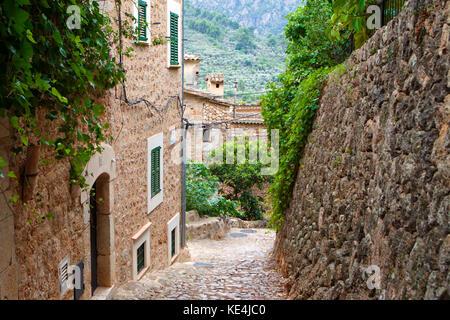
point(374, 189)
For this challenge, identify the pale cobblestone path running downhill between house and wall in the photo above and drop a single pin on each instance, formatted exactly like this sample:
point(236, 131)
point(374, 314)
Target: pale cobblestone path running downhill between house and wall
point(238, 267)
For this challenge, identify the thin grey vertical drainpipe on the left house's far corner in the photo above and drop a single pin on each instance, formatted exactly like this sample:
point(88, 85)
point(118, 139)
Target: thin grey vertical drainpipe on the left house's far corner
point(183, 142)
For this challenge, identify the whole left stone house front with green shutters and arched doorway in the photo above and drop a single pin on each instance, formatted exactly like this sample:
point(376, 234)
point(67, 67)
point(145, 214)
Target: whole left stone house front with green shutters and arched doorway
point(137, 225)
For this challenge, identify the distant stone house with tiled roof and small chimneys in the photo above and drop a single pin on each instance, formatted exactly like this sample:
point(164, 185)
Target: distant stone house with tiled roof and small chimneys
point(214, 119)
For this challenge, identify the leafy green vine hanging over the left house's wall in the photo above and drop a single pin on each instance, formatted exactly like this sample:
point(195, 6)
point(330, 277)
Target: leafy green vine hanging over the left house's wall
point(48, 70)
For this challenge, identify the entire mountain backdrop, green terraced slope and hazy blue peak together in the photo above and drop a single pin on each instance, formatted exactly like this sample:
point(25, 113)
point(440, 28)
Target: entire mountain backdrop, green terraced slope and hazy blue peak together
point(246, 57)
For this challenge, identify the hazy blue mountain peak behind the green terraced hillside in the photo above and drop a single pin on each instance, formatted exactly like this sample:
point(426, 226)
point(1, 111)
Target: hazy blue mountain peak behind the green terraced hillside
point(266, 16)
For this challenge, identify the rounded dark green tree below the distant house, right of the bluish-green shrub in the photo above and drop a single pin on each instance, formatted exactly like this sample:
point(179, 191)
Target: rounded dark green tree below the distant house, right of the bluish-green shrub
point(241, 177)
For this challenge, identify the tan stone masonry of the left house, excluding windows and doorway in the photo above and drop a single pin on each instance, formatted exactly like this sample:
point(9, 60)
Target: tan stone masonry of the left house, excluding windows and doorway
point(40, 245)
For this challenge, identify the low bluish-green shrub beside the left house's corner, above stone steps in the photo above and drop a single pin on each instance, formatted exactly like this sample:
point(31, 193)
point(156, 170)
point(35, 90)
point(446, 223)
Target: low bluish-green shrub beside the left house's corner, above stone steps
point(201, 193)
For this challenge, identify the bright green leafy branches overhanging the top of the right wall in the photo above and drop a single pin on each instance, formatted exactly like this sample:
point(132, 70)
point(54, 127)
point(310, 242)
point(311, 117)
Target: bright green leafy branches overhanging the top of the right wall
point(350, 15)
